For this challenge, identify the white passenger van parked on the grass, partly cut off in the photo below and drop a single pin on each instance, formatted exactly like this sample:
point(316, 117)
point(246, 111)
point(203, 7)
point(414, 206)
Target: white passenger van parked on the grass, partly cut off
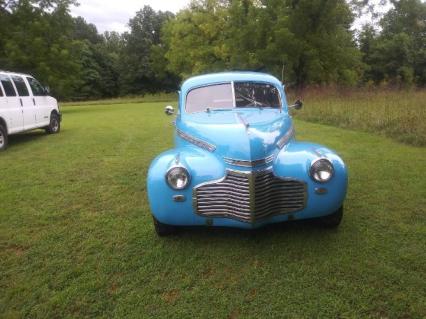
point(25, 105)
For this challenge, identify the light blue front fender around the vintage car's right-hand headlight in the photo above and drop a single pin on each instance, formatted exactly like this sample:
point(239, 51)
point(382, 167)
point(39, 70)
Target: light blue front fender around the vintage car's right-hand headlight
point(294, 161)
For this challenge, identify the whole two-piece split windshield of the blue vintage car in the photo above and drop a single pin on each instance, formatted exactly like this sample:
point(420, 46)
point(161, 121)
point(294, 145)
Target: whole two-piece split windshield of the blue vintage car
point(233, 95)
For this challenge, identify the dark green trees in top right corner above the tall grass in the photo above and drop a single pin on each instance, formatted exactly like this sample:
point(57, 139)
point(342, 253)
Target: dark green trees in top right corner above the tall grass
point(398, 53)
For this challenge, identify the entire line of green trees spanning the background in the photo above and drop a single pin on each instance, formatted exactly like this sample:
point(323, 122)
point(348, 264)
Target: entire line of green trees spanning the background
point(304, 42)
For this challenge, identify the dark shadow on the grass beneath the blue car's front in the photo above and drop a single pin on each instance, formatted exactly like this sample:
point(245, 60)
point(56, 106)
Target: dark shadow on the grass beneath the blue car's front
point(296, 239)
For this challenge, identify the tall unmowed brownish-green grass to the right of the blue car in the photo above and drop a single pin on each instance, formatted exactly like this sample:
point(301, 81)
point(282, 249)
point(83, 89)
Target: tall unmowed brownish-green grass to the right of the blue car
point(400, 115)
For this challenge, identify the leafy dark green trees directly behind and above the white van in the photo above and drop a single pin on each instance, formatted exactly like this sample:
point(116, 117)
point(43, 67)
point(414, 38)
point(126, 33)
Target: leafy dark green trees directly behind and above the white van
point(37, 41)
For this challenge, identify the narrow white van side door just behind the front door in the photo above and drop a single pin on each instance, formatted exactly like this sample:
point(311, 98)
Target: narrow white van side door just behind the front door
point(30, 111)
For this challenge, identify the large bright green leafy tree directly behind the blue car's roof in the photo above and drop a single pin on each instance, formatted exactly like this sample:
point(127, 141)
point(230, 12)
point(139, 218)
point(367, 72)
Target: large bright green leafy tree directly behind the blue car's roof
point(310, 40)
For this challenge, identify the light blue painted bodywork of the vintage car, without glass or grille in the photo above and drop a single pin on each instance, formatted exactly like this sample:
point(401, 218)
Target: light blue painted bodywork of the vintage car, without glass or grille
point(225, 130)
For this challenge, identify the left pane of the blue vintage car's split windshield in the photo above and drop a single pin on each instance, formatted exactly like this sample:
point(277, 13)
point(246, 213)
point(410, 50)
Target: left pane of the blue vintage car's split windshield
point(213, 96)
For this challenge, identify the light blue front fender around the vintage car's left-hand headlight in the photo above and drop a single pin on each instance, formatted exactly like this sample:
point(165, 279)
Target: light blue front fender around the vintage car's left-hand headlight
point(202, 166)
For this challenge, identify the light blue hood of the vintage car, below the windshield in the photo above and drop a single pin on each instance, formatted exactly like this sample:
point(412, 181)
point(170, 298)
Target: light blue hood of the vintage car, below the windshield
point(247, 134)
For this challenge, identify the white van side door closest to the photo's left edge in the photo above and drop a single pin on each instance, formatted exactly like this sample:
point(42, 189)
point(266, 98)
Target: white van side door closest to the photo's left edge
point(11, 108)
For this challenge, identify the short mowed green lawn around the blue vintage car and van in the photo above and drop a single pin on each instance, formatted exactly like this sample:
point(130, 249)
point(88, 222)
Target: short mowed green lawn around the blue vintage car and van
point(77, 240)
